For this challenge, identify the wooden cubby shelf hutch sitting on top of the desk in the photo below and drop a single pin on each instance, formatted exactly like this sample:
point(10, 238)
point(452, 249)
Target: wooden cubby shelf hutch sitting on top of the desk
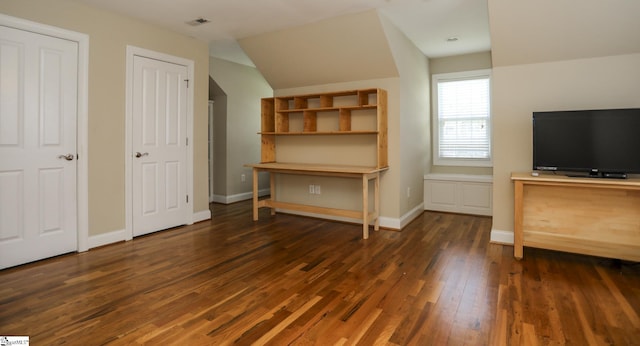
point(277, 113)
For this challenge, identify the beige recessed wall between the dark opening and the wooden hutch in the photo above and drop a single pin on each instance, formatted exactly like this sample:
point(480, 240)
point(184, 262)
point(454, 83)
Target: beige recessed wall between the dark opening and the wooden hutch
point(244, 87)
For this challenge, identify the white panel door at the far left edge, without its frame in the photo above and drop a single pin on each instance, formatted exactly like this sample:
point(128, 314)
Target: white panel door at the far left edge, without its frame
point(38, 111)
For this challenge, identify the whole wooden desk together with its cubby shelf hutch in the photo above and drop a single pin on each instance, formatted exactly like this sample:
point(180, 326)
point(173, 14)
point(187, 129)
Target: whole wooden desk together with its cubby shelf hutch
point(277, 118)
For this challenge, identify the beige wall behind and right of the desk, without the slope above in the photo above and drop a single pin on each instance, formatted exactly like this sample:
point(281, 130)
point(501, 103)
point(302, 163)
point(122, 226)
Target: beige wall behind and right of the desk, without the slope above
point(408, 133)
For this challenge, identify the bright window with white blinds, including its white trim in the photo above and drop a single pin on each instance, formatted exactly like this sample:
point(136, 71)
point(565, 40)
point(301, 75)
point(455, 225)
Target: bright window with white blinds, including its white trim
point(462, 118)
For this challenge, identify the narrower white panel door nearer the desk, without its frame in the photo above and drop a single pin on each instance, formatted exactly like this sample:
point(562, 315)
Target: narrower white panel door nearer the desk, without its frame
point(159, 143)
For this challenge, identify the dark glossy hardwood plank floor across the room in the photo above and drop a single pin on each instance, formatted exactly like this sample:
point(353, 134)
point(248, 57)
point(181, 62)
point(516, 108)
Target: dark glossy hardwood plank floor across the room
point(294, 280)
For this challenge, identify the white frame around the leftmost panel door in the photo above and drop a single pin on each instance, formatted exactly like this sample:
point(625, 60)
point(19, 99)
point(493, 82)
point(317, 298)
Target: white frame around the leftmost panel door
point(82, 182)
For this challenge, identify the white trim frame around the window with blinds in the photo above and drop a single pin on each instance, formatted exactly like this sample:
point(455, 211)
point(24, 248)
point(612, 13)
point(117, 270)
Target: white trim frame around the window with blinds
point(437, 160)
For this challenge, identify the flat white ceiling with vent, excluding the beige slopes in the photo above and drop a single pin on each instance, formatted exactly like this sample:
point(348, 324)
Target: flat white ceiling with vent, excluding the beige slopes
point(428, 23)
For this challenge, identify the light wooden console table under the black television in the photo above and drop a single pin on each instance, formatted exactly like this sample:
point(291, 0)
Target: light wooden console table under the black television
point(599, 217)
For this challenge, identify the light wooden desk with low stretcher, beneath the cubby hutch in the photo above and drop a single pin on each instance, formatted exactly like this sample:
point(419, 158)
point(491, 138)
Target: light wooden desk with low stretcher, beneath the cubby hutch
point(364, 173)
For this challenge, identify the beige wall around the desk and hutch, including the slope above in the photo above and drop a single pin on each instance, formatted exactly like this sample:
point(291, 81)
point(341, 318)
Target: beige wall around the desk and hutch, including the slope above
point(352, 52)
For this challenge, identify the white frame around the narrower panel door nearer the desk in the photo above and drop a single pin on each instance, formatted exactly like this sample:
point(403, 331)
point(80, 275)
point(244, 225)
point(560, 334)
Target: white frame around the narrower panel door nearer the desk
point(128, 153)
